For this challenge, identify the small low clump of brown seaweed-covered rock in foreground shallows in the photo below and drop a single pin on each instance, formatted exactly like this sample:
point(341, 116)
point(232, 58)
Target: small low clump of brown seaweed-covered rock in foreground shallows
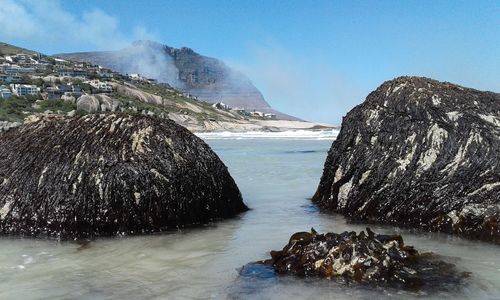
point(366, 258)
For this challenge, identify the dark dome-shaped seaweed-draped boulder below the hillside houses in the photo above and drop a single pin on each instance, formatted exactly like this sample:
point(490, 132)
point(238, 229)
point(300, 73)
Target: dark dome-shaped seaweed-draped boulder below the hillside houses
point(109, 174)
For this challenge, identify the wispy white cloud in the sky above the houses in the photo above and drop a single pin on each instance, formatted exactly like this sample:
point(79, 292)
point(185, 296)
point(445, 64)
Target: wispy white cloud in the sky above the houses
point(47, 22)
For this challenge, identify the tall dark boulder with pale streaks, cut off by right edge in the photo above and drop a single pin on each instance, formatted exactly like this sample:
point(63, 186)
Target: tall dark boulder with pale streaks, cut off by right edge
point(419, 153)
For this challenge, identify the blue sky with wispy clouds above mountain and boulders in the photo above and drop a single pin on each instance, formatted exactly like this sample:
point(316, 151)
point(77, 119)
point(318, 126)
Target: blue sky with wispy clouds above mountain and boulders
point(313, 59)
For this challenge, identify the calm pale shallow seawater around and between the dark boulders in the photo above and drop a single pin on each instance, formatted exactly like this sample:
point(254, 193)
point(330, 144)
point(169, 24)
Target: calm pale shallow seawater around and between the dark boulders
point(276, 177)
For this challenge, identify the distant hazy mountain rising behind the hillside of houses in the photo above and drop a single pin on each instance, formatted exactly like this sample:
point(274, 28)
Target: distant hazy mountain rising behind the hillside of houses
point(207, 78)
